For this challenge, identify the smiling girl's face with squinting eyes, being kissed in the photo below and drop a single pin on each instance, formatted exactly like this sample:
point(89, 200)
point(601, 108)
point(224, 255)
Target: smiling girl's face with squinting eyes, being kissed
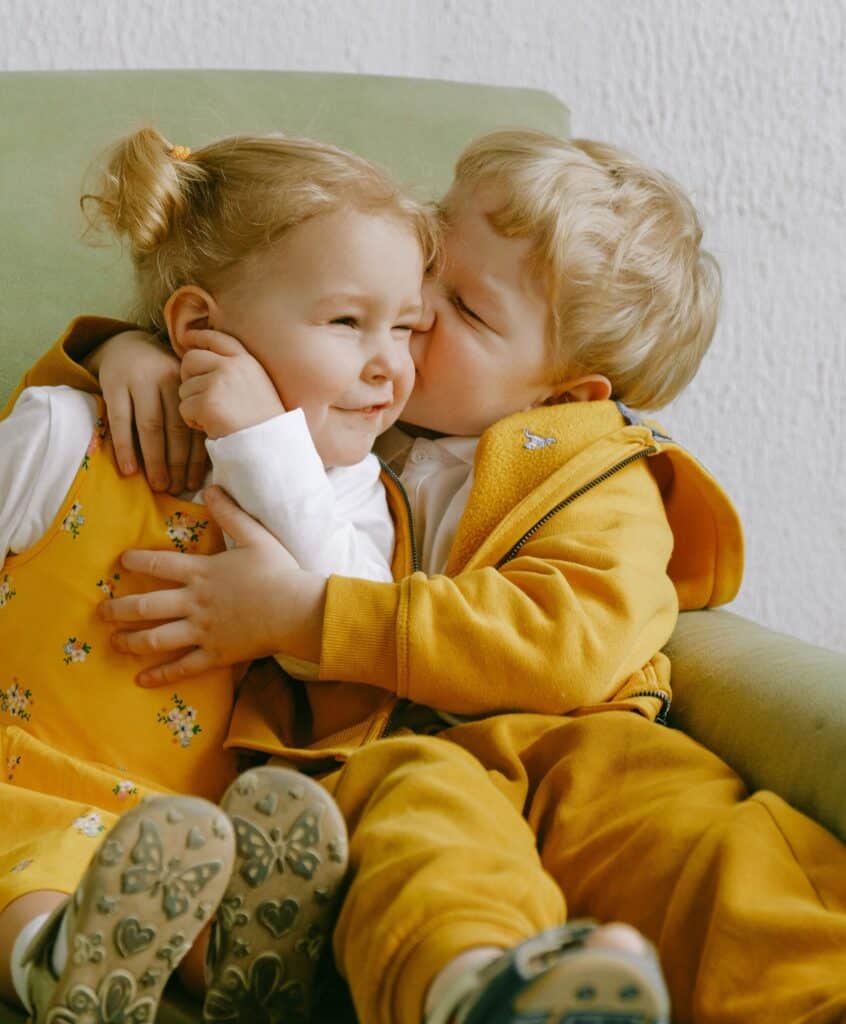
point(328, 312)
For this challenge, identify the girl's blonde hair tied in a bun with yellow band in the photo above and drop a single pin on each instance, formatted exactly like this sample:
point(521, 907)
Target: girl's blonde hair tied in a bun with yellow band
point(189, 218)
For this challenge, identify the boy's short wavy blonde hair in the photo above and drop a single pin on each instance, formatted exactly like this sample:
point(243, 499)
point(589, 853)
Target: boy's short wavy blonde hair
point(632, 293)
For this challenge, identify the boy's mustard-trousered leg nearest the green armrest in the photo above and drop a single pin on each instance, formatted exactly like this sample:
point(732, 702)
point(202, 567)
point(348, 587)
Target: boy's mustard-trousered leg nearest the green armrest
point(745, 898)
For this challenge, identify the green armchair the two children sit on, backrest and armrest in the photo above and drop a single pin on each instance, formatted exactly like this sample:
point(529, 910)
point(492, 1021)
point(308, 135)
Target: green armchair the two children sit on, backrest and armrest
point(771, 706)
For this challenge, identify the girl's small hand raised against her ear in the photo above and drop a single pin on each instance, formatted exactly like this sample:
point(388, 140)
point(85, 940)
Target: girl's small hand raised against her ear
point(225, 389)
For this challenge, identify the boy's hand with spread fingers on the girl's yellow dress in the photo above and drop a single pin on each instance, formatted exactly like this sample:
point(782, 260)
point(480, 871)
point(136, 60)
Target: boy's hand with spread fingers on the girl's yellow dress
point(247, 603)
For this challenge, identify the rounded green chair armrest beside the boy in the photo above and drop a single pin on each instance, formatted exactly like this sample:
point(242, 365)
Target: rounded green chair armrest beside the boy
point(771, 706)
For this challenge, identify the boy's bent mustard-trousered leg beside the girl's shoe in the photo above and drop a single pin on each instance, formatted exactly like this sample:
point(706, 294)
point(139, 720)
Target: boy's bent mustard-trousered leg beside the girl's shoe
point(442, 867)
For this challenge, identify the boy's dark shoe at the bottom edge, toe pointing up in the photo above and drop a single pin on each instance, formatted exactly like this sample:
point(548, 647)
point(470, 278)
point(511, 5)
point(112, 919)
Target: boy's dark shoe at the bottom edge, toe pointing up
point(556, 978)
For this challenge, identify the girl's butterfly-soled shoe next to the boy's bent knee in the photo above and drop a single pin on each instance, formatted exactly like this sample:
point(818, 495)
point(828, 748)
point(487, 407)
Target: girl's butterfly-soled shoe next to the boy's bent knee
point(277, 915)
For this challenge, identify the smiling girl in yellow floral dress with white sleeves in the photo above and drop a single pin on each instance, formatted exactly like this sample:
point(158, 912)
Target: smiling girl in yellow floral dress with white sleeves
point(314, 261)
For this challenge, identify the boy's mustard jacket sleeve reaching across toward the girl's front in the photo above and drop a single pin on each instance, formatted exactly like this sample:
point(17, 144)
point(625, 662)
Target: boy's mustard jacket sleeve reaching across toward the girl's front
point(585, 605)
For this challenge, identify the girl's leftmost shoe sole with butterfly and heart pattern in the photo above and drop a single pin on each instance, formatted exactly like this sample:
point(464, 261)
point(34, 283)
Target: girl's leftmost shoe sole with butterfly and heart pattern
point(150, 890)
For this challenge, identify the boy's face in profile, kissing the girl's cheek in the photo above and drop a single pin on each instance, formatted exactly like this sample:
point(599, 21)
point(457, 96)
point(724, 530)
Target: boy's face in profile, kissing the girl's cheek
point(486, 355)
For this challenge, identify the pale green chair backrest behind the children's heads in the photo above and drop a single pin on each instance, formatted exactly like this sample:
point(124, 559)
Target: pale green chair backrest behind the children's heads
point(54, 124)
